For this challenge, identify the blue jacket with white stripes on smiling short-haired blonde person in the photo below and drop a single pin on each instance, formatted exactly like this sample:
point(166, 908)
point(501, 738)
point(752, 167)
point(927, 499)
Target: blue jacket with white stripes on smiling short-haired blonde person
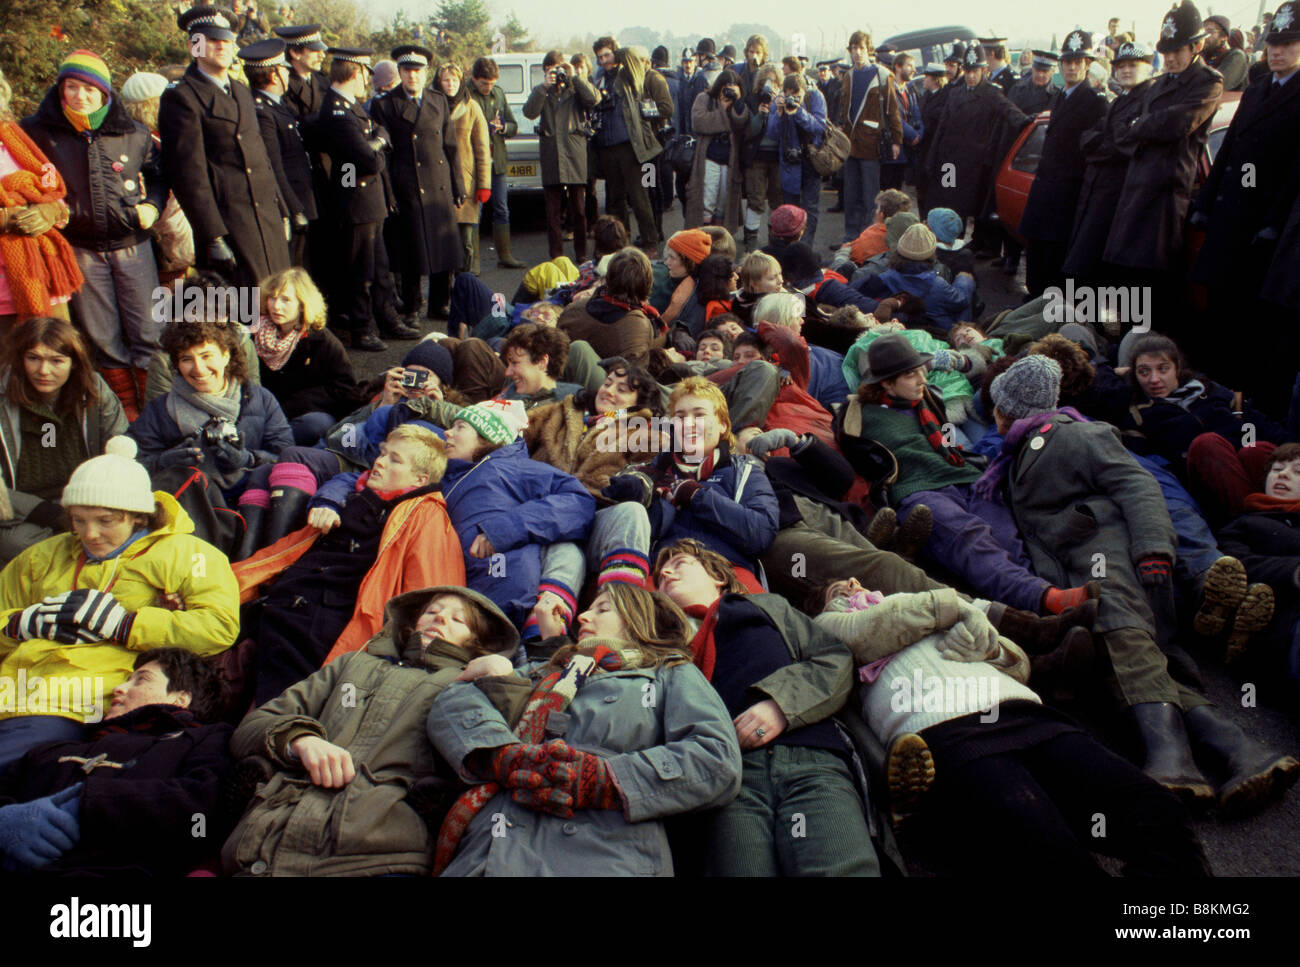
point(740, 531)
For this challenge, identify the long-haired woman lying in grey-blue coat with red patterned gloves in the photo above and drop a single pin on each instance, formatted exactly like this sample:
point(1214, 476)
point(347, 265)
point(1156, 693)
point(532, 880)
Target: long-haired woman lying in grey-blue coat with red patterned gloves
point(595, 801)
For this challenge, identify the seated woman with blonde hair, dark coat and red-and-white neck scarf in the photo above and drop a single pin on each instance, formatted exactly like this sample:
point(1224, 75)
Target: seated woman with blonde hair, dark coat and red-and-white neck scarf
point(301, 362)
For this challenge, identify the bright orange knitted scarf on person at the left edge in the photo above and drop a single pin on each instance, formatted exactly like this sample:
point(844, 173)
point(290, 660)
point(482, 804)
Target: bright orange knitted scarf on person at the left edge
point(40, 268)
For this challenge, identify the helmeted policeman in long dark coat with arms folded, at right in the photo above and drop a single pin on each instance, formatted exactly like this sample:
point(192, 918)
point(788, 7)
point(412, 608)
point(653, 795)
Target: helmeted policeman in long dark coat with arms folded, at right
point(1164, 146)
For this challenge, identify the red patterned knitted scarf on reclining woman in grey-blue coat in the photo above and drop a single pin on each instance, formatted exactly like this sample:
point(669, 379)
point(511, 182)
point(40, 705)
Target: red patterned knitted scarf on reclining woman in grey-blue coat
point(552, 695)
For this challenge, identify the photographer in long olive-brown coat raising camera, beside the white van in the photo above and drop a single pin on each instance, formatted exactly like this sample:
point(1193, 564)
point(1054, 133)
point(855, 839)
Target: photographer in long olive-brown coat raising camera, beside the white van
point(561, 106)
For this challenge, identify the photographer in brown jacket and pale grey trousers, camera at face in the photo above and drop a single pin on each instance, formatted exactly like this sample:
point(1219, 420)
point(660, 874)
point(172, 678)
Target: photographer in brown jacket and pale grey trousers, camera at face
point(720, 118)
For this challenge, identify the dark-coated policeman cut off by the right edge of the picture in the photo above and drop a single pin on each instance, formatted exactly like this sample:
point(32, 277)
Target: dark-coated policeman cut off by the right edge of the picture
point(1253, 188)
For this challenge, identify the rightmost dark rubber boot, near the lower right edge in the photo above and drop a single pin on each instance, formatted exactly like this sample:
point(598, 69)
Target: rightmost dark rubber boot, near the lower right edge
point(1250, 774)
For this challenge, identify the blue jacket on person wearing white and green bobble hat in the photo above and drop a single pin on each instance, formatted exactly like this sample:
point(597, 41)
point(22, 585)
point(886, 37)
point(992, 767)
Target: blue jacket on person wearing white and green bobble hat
point(522, 506)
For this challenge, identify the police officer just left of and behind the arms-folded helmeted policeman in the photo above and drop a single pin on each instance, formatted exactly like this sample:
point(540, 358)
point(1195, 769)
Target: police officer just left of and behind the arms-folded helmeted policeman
point(1107, 166)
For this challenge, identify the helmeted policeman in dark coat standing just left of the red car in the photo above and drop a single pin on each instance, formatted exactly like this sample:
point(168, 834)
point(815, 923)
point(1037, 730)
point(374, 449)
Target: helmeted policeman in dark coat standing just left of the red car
point(974, 133)
